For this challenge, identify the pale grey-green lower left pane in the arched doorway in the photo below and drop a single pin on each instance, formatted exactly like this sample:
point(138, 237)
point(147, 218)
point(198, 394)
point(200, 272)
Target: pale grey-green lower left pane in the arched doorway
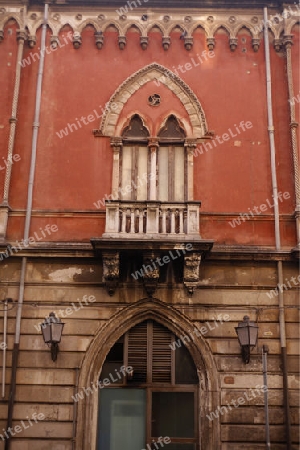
point(122, 419)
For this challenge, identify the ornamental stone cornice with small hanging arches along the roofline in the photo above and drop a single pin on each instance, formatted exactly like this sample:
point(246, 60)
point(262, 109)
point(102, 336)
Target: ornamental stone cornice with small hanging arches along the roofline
point(145, 20)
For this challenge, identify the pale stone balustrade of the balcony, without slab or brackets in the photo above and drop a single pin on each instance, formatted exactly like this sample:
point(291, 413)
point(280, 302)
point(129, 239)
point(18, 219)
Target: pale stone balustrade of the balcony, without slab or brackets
point(152, 220)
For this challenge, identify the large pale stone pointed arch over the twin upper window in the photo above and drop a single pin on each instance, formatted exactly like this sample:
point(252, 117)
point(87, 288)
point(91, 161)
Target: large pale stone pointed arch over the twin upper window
point(151, 72)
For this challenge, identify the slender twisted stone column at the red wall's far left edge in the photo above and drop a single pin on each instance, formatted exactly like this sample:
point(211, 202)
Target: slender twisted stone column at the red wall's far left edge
point(21, 37)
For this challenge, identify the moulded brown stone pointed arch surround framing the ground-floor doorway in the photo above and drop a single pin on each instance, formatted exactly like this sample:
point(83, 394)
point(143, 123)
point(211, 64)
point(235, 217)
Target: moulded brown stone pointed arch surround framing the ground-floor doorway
point(110, 332)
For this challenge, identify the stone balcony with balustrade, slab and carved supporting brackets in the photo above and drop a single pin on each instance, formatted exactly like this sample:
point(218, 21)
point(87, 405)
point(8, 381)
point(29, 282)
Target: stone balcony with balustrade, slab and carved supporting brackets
point(148, 231)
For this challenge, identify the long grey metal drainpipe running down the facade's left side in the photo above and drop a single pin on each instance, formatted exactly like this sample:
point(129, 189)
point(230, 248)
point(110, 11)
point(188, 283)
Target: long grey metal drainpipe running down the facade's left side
point(27, 223)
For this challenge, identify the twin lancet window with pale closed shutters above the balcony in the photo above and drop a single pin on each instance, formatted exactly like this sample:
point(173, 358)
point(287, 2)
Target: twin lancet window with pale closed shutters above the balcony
point(153, 169)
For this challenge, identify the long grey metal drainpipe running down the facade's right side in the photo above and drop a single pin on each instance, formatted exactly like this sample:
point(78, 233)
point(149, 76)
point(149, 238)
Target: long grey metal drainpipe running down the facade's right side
point(277, 234)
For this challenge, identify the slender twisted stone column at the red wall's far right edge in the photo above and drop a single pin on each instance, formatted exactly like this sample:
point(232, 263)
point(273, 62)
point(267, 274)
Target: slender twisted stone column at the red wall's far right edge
point(288, 42)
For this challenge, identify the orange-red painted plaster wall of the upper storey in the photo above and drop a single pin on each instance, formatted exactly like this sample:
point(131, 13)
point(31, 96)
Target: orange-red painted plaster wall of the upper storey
point(75, 171)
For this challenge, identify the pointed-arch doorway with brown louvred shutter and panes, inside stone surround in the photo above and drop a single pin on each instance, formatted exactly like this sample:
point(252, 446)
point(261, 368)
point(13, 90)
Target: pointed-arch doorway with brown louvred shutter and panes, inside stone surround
point(148, 395)
